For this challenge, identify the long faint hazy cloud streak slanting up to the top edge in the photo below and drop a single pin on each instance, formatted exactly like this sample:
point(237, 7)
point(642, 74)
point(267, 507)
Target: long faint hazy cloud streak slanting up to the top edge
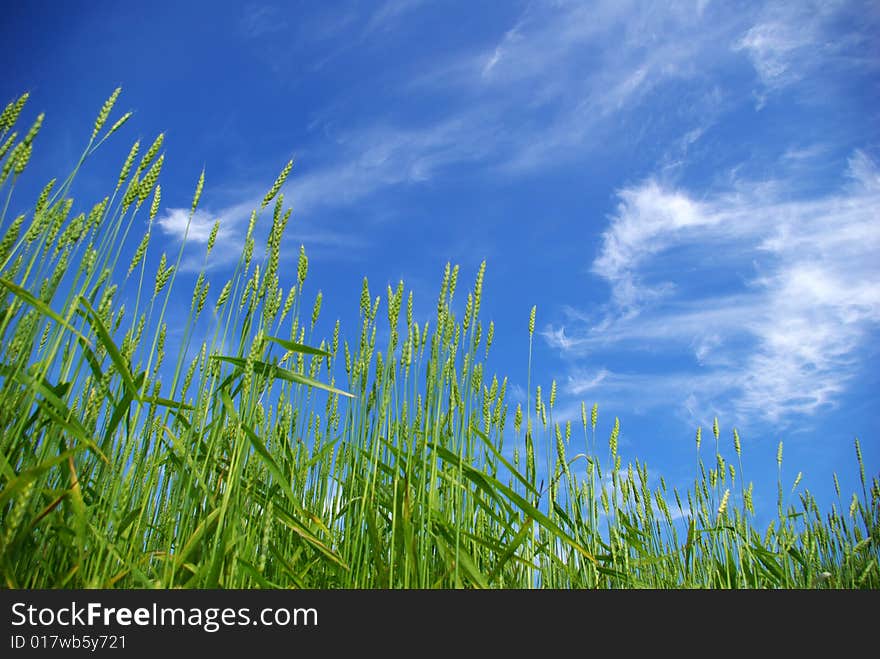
point(556, 81)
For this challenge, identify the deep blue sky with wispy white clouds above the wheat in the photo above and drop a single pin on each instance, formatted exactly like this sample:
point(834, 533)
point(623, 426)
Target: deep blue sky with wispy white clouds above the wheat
point(688, 191)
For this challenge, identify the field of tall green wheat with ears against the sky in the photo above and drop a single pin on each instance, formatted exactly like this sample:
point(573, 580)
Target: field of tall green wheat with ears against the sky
point(269, 457)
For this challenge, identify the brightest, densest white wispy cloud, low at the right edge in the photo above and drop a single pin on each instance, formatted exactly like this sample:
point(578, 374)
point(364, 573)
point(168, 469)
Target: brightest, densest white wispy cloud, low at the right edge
point(765, 303)
